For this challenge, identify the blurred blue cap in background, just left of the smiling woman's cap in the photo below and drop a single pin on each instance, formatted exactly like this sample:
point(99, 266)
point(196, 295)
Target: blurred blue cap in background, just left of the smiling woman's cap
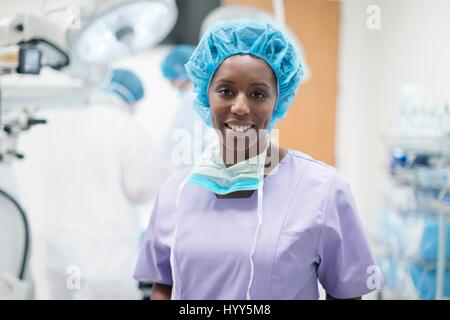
point(173, 65)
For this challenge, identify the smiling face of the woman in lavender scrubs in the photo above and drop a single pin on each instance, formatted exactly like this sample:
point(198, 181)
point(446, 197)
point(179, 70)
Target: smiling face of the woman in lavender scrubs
point(242, 97)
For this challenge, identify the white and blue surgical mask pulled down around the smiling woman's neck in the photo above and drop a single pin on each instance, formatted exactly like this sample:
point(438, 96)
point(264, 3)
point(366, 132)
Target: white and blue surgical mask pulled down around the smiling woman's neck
point(212, 174)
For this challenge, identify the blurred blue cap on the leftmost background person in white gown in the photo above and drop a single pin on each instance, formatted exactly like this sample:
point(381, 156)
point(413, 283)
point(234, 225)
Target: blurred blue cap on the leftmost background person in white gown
point(127, 85)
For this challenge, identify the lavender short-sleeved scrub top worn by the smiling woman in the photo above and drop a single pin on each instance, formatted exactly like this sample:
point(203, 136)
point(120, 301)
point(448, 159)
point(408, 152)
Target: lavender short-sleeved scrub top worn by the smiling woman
point(310, 231)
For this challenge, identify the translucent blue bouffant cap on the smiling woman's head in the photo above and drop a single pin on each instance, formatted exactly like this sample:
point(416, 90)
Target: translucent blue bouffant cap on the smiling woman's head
point(253, 37)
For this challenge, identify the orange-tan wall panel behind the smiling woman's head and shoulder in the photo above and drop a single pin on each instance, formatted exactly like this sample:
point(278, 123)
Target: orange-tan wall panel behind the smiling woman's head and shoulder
point(310, 123)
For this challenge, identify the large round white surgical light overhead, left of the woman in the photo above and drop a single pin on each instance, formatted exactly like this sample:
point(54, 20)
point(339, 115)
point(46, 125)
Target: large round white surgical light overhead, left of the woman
point(125, 28)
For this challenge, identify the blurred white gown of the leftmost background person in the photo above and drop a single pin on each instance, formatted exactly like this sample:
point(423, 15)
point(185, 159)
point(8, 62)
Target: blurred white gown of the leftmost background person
point(100, 165)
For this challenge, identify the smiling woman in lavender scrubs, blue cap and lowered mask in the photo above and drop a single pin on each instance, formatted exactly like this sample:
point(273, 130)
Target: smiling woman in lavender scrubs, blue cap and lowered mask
point(246, 223)
